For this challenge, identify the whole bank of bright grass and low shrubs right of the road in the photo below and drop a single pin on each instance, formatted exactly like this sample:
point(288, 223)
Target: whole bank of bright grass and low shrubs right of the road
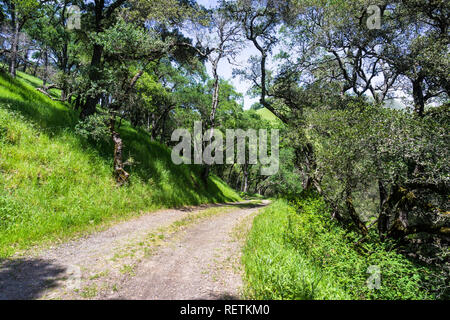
point(298, 252)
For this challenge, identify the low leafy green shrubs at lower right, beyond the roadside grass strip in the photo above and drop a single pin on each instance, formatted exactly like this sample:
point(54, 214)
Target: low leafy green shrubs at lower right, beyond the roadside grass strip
point(333, 249)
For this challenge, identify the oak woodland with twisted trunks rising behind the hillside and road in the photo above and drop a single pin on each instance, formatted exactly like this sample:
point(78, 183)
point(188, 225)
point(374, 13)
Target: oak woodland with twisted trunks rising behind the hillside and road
point(363, 112)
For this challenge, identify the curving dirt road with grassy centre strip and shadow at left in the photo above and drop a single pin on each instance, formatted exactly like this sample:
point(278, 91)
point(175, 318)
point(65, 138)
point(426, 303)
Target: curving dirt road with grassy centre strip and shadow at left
point(190, 253)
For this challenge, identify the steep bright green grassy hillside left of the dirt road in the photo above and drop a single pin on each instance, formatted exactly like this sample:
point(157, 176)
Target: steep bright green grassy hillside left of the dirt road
point(54, 183)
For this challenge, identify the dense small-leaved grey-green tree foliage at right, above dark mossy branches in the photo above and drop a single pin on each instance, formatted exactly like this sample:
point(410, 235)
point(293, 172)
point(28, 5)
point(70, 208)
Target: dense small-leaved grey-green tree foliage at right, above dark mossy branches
point(361, 143)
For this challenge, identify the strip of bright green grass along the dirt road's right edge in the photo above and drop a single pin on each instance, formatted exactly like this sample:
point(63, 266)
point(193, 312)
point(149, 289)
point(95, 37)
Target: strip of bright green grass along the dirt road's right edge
point(274, 269)
